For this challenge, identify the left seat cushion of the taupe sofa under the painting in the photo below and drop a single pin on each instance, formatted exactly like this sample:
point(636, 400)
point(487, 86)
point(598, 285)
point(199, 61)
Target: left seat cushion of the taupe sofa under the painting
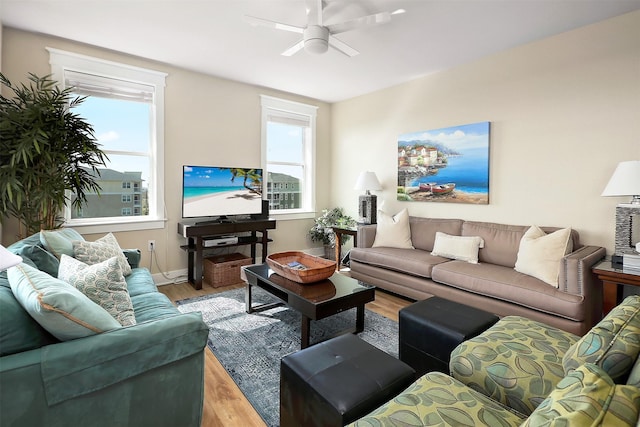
point(409, 261)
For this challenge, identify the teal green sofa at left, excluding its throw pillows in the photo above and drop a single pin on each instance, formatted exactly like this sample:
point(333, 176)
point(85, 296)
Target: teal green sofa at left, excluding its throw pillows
point(149, 374)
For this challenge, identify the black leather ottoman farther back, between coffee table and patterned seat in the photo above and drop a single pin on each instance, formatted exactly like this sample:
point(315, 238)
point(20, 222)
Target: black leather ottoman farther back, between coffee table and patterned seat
point(432, 328)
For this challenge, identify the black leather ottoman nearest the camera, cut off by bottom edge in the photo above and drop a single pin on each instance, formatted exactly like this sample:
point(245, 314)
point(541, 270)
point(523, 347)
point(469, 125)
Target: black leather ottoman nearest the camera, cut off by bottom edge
point(337, 382)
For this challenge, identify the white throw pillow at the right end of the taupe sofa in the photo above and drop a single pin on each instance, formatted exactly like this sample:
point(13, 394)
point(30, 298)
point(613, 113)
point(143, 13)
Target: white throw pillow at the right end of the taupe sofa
point(540, 253)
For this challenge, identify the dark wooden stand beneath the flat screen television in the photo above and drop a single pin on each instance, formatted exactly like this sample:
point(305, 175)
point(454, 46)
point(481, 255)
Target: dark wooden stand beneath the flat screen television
point(196, 233)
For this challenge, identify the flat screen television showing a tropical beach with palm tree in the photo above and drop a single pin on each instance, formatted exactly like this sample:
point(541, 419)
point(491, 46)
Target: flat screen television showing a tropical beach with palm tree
point(211, 191)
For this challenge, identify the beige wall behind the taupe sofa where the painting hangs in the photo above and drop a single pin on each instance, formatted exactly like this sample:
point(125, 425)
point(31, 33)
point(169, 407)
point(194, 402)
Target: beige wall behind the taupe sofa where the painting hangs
point(563, 111)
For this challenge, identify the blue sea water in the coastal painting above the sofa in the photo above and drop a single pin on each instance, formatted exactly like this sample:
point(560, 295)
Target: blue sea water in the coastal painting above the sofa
point(470, 172)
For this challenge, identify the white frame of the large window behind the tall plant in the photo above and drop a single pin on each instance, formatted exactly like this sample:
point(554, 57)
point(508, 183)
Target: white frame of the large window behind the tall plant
point(61, 61)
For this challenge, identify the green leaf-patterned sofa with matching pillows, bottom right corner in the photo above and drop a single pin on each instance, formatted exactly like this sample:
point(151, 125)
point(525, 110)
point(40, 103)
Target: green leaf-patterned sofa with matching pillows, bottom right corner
point(523, 373)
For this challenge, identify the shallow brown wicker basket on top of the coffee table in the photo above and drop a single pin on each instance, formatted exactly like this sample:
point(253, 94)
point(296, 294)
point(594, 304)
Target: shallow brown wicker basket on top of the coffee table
point(316, 268)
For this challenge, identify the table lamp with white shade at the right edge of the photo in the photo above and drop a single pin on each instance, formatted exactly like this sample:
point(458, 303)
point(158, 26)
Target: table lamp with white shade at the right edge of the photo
point(625, 181)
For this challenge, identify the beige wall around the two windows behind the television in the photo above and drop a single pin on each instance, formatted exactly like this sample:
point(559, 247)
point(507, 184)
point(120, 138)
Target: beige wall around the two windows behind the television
point(208, 120)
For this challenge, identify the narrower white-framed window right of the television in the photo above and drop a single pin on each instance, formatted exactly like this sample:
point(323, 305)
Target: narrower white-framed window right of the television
point(288, 149)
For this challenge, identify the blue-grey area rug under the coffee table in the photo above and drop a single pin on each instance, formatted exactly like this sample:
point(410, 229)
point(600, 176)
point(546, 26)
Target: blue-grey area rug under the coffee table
point(250, 346)
